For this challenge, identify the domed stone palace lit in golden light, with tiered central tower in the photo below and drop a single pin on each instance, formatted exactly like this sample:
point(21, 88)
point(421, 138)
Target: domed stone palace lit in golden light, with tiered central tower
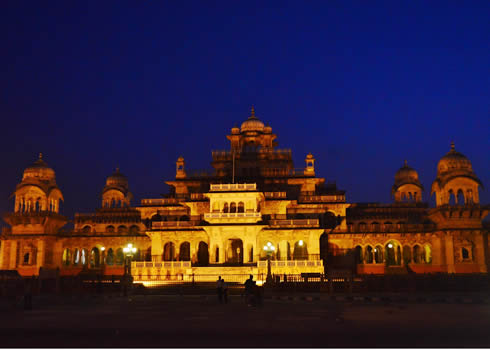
point(219, 222)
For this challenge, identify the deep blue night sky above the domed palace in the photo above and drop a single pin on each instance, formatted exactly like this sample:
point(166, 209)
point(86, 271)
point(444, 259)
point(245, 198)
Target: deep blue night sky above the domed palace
point(362, 85)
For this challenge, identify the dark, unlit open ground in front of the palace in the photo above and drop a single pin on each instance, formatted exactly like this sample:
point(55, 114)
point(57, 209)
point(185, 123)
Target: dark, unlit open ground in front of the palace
point(199, 321)
